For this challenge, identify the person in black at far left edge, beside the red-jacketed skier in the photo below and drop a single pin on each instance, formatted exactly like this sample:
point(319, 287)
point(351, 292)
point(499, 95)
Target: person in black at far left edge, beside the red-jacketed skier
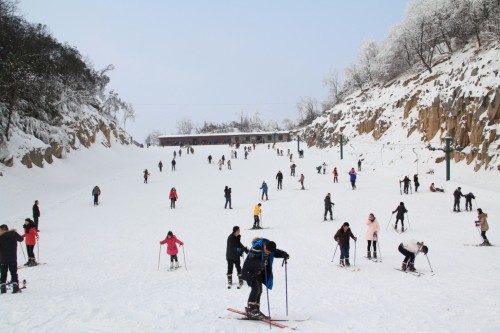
point(8, 258)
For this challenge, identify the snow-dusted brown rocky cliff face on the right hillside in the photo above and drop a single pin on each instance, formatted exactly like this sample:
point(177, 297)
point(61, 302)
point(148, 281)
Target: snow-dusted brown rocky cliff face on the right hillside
point(460, 99)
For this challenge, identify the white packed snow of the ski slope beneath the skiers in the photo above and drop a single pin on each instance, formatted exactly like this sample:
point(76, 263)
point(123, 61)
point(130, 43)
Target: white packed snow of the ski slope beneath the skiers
point(102, 262)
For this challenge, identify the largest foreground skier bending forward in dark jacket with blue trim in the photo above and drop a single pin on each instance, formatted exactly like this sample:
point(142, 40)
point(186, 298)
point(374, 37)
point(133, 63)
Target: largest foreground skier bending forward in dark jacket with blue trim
point(257, 271)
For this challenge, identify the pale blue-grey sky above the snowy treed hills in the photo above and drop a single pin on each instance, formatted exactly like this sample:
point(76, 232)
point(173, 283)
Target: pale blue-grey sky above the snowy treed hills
point(212, 60)
